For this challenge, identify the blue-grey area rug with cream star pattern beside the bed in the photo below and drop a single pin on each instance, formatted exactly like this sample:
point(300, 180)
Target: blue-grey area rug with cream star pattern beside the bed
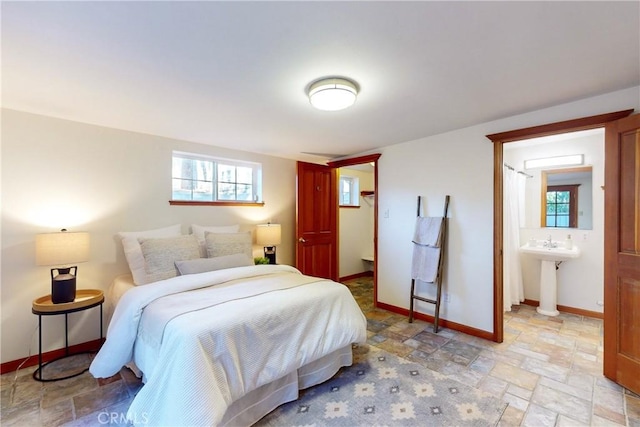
point(381, 389)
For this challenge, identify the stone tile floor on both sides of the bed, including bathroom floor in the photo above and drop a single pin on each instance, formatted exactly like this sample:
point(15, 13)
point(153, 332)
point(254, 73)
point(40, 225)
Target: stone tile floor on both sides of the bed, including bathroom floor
point(548, 369)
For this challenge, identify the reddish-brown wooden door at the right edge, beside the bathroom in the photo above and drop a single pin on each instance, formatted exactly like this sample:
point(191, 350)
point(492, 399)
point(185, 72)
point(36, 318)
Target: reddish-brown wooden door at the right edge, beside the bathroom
point(622, 252)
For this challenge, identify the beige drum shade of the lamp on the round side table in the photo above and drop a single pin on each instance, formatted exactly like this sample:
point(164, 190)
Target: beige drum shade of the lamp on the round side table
point(62, 248)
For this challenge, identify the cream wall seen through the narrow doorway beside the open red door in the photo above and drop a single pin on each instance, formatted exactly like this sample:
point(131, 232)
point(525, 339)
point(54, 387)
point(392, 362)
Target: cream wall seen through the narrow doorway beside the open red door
point(356, 227)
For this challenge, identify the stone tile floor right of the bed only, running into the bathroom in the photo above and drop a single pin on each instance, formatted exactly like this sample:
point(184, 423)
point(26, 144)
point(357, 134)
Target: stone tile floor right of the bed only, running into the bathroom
point(549, 369)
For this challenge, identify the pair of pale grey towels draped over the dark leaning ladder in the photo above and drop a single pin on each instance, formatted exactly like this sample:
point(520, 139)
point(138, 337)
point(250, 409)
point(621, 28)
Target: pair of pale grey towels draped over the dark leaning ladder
point(426, 249)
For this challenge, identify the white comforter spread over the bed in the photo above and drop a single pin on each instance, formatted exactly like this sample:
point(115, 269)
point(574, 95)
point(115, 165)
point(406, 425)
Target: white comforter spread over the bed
point(249, 327)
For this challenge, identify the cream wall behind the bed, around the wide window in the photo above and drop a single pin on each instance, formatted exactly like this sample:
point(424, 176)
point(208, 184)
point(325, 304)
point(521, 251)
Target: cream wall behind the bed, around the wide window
point(57, 173)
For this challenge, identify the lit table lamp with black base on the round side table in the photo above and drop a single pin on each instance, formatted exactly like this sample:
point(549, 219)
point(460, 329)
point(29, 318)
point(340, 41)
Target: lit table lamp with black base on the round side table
point(62, 248)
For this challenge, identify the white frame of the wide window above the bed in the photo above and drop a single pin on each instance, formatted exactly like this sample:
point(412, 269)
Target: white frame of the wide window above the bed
point(256, 179)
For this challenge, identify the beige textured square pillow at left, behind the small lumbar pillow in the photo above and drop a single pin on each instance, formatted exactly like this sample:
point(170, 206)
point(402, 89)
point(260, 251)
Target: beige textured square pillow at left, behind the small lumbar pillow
point(160, 255)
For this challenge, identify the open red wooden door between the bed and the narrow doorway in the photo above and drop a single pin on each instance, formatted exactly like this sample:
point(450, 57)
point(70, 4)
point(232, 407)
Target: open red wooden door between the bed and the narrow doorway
point(317, 226)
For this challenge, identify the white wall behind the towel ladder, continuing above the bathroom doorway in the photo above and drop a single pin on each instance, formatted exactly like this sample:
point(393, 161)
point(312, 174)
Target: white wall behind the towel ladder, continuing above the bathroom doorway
point(458, 163)
